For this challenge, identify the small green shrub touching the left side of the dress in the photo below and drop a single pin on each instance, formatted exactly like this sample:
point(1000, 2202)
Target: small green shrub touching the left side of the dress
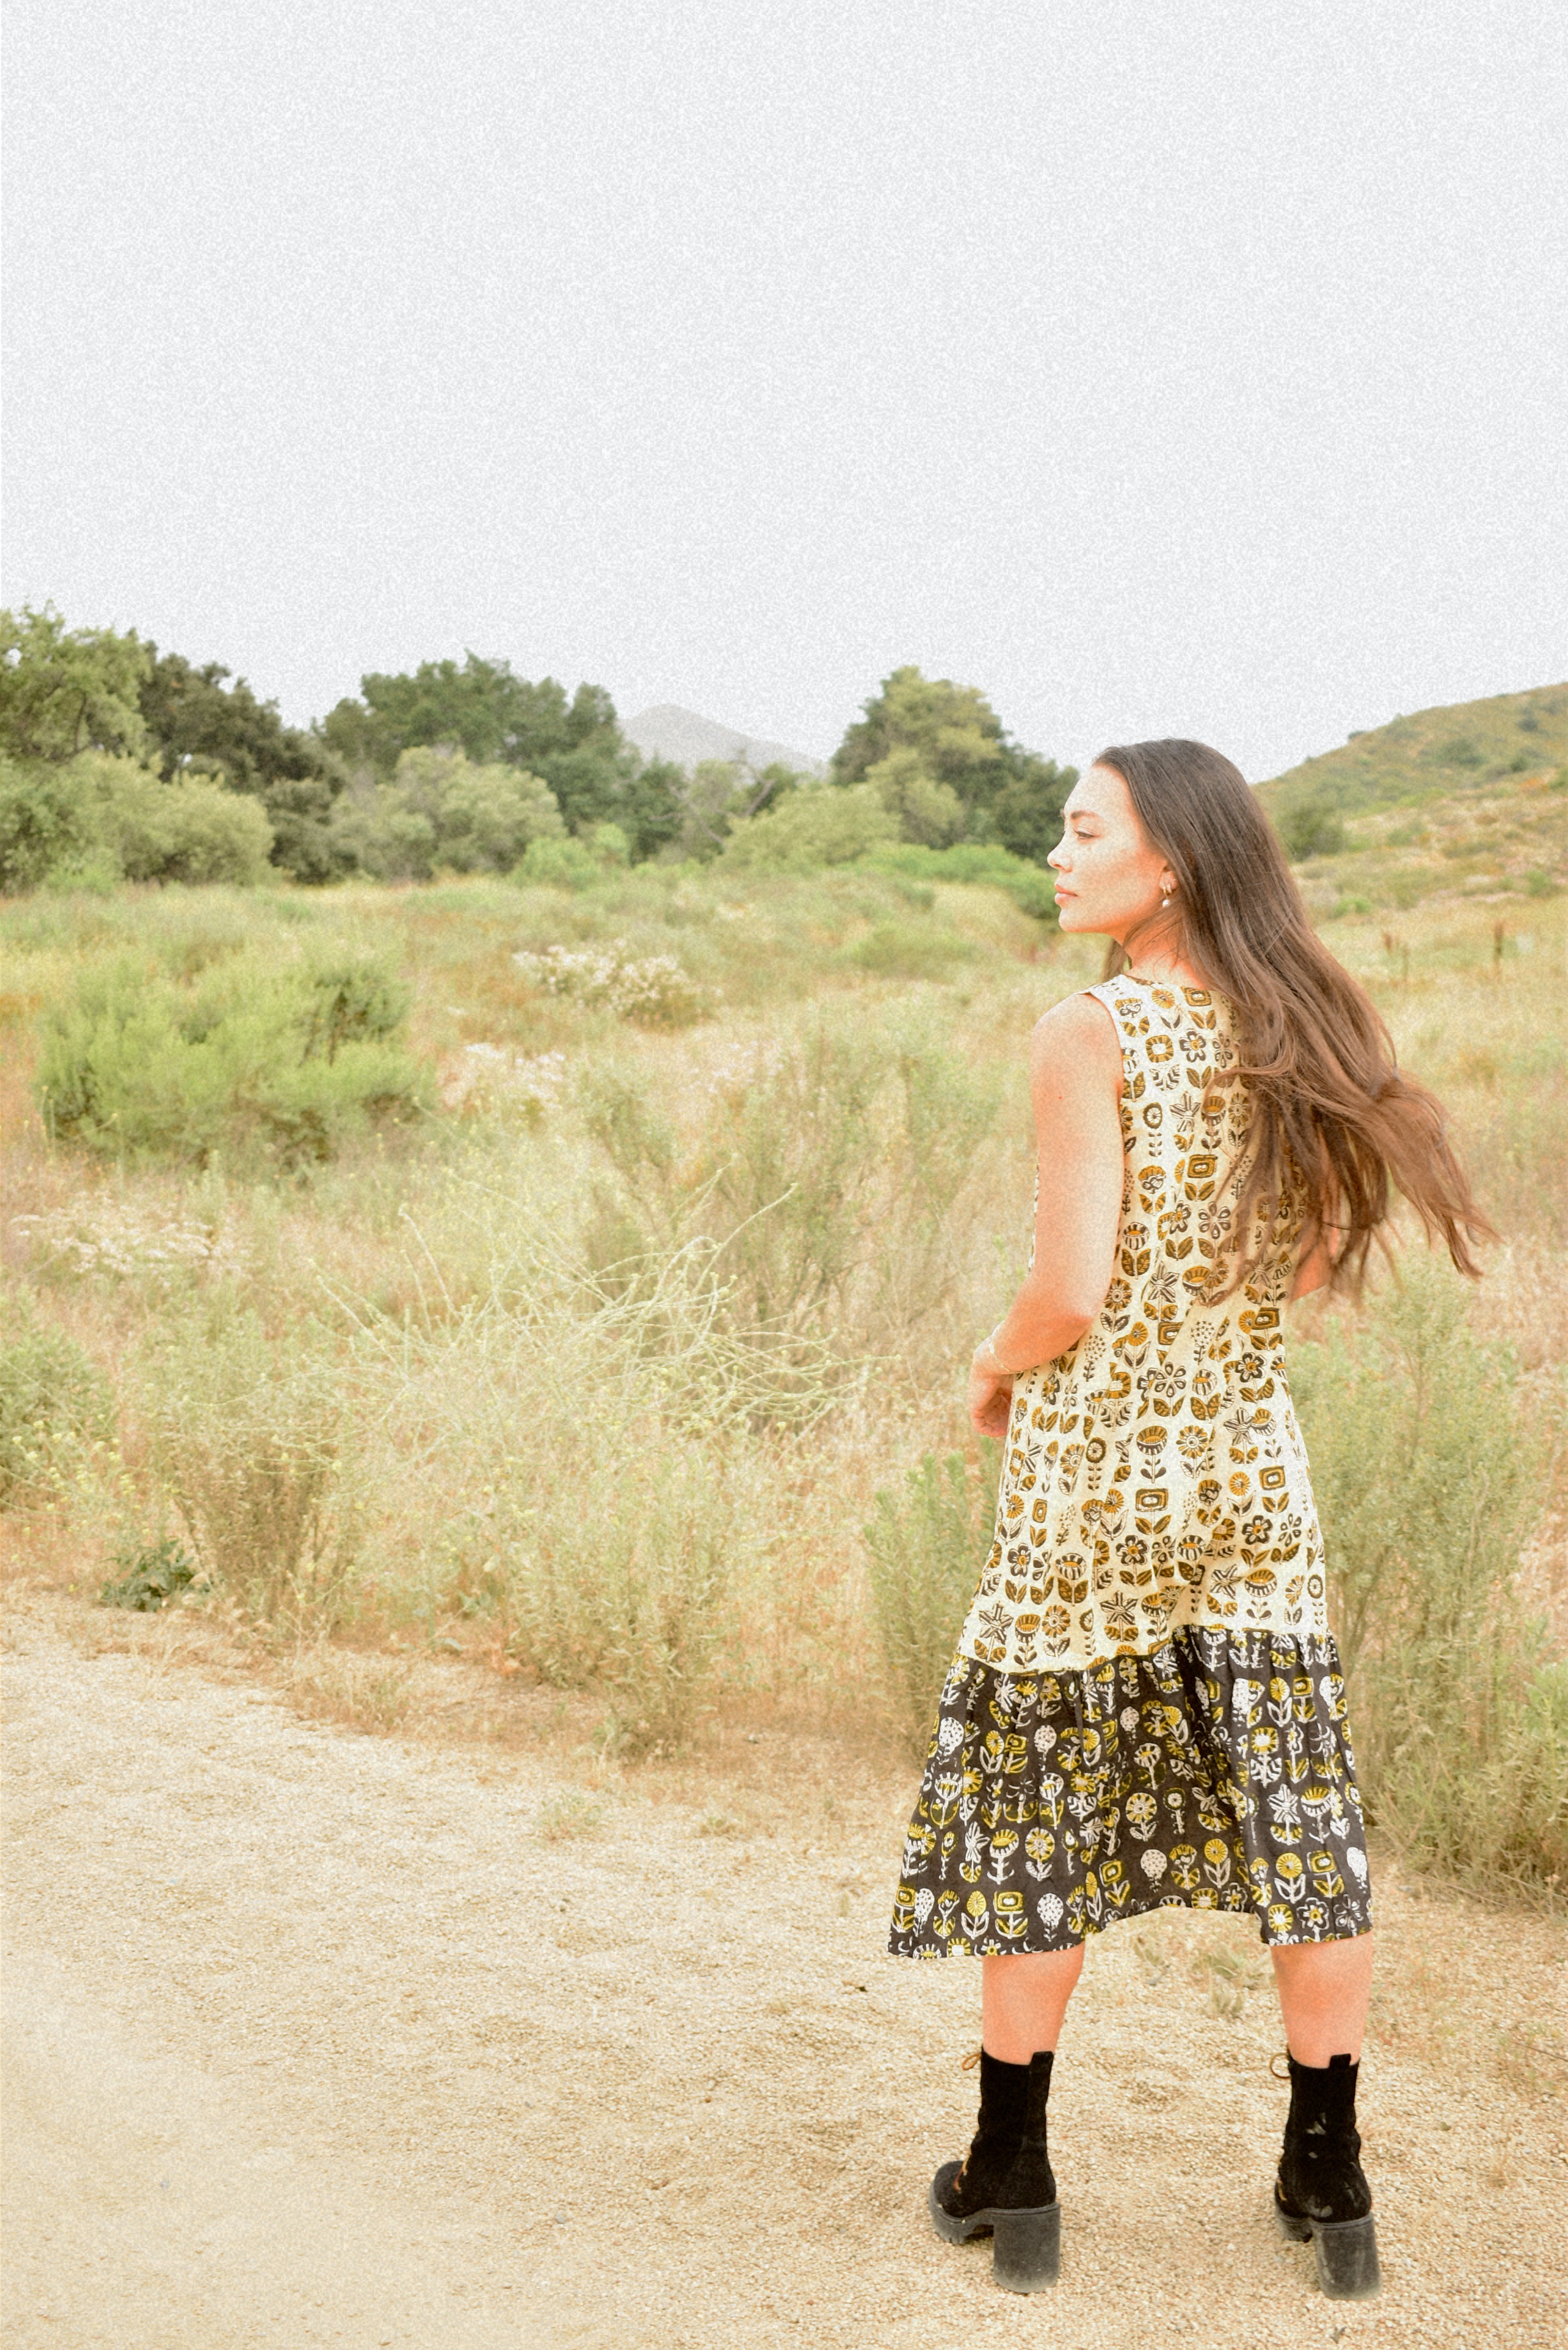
point(925, 1550)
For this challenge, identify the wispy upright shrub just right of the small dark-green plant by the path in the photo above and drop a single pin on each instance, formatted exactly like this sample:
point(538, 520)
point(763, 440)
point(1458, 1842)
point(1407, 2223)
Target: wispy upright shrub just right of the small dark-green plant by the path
point(246, 1439)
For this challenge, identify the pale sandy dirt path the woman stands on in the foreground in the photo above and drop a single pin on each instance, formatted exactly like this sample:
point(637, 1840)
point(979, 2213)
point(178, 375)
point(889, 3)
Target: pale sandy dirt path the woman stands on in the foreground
point(316, 2039)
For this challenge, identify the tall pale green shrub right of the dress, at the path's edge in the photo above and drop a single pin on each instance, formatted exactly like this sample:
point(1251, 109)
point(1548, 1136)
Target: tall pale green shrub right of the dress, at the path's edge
point(1430, 1479)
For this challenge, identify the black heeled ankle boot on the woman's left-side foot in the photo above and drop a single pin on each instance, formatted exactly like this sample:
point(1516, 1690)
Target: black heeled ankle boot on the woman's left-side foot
point(1005, 2187)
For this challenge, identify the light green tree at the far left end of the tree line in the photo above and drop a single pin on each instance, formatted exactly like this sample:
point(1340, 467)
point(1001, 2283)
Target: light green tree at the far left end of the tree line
point(65, 690)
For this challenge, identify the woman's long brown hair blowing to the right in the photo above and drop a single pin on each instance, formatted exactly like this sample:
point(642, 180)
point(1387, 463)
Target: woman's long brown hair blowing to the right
point(1339, 1129)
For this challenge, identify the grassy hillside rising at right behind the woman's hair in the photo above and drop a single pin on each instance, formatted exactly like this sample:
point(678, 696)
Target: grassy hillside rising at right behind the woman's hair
point(1470, 798)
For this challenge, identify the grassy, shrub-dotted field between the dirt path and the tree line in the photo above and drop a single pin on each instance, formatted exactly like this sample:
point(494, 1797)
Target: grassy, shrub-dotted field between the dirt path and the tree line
point(598, 1258)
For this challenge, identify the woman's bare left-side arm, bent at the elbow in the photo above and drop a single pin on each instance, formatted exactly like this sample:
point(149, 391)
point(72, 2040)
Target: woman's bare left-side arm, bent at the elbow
point(1076, 1080)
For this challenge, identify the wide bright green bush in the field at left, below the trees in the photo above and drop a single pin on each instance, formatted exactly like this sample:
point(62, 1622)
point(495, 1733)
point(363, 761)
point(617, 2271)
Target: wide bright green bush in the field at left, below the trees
point(246, 1061)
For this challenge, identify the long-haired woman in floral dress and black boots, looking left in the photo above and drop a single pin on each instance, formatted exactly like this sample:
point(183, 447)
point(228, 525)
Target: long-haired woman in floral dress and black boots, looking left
point(1146, 1705)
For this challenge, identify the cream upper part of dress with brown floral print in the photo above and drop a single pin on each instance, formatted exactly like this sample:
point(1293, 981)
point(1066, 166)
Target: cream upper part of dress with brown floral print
point(1155, 1475)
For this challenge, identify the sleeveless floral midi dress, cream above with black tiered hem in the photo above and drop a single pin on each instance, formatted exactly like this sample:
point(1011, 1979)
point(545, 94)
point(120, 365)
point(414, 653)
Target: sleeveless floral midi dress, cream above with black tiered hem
point(1146, 1707)
